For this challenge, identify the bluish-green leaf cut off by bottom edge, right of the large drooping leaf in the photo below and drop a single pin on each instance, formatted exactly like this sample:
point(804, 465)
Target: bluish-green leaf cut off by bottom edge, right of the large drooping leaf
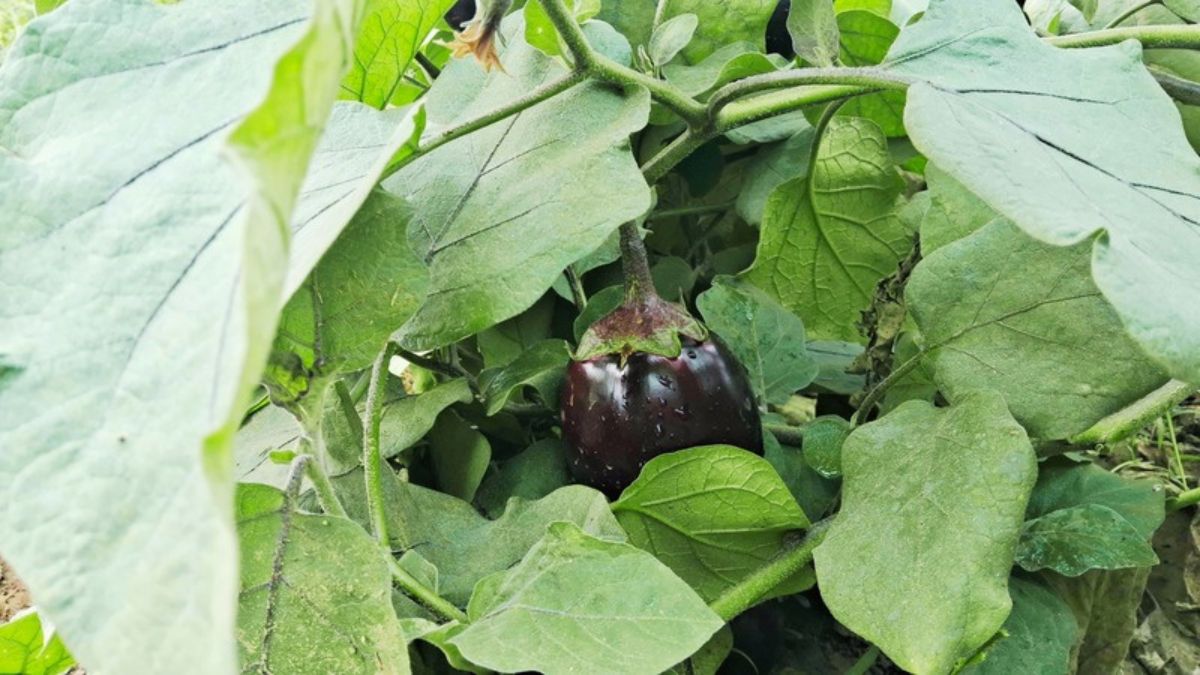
point(1039, 635)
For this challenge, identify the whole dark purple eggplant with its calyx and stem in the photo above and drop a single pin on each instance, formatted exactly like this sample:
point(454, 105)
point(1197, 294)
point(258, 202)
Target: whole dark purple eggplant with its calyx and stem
point(647, 380)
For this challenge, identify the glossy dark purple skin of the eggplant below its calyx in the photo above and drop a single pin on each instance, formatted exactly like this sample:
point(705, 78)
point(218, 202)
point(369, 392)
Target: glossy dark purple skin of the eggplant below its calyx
point(619, 417)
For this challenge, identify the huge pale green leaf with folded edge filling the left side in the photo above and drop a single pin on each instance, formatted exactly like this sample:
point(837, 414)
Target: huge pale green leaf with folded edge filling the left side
point(142, 279)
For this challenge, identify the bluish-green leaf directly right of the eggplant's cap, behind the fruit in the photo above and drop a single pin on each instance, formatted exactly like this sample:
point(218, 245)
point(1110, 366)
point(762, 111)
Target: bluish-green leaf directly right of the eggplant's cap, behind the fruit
point(765, 337)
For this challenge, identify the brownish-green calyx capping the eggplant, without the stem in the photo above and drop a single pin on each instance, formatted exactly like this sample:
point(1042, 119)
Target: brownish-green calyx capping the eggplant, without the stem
point(644, 324)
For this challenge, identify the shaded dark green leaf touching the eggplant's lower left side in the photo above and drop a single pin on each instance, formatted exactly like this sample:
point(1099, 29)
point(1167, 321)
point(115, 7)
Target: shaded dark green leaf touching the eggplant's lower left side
point(533, 474)
